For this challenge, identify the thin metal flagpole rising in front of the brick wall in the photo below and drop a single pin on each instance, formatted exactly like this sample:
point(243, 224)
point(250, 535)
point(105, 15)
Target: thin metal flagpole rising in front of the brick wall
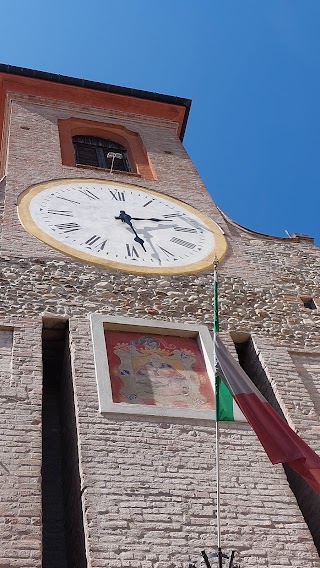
point(216, 381)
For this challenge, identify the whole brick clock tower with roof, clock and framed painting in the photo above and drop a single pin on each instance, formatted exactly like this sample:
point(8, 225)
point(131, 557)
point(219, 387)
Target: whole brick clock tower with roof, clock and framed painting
point(108, 239)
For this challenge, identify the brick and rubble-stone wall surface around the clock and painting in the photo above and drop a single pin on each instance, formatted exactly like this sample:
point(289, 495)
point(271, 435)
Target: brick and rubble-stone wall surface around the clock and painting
point(148, 484)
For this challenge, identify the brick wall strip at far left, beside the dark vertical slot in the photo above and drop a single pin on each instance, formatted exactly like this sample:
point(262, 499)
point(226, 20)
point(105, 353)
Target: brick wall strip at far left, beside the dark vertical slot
point(20, 442)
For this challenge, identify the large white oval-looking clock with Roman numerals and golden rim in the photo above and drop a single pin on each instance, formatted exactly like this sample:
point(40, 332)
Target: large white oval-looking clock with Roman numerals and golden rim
point(121, 226)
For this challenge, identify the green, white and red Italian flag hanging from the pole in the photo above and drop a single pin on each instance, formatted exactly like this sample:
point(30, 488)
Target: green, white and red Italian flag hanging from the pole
point(280, 442)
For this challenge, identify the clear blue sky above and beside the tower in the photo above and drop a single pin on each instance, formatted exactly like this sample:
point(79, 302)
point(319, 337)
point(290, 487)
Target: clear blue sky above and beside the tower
point(252, 69)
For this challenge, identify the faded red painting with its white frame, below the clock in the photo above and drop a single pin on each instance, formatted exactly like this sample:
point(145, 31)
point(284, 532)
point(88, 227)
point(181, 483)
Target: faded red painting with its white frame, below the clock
point(153, 368)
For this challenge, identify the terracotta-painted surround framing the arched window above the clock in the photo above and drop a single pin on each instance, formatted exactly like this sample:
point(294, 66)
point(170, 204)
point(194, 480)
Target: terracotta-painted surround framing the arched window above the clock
point(137, 154)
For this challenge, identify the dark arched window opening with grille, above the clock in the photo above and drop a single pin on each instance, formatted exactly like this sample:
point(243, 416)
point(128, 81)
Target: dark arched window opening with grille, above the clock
point(100, 153)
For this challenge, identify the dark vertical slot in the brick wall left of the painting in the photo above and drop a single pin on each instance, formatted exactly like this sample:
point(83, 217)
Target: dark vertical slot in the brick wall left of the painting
point(63, 544)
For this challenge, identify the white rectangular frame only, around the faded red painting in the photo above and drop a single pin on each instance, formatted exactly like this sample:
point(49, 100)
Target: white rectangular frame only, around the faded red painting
point(106, 405)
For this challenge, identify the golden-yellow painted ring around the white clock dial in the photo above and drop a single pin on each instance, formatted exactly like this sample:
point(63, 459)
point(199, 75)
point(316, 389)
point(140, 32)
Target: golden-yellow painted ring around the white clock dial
point(25, 218)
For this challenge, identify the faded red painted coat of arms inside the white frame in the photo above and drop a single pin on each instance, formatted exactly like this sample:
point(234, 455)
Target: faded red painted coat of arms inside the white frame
point(158, 370)
